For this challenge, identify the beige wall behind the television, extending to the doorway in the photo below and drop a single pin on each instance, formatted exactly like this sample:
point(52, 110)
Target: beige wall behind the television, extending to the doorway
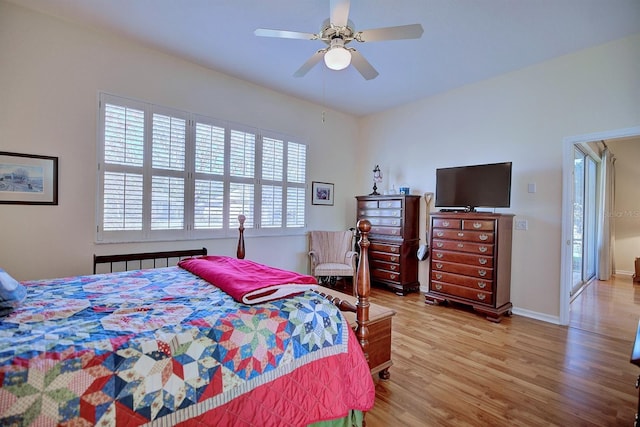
point(521, 117)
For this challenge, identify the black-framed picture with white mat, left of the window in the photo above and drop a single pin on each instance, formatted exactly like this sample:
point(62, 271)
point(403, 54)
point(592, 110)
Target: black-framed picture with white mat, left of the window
point(27, 179)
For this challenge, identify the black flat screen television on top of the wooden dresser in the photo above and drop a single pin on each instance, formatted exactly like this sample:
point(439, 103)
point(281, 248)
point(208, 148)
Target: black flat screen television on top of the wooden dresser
point(469, 187)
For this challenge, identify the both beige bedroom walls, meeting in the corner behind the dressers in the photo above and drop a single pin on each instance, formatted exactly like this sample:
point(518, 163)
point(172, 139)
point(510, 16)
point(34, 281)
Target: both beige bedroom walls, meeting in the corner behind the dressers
point(51, 73)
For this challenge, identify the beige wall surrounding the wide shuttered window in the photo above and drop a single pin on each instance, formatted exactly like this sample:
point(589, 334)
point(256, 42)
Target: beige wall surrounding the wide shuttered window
point(50, 75)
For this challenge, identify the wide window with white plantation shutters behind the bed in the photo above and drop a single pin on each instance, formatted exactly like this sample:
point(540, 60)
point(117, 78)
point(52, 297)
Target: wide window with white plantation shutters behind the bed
point(167, 174)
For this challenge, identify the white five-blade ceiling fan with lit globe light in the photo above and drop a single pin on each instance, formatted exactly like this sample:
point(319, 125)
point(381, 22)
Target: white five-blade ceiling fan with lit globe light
point(337, 32)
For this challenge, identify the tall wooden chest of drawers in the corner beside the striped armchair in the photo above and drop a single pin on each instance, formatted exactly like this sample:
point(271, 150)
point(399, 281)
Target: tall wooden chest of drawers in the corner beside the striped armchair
point(394, 239)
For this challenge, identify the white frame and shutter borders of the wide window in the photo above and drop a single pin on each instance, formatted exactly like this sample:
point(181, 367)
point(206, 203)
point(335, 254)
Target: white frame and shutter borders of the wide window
point(189, 230)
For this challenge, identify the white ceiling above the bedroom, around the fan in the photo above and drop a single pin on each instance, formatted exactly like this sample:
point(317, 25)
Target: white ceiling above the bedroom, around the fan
point(464, 41)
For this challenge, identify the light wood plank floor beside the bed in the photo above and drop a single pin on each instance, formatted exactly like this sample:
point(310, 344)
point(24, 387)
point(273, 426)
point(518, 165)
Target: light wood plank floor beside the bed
point(454, 368)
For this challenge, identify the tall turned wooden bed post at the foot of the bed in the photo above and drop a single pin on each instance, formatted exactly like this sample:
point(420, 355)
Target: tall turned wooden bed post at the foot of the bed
point(363, 288)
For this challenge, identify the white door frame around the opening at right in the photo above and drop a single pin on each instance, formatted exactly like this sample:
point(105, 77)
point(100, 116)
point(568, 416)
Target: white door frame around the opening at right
point(566, 256)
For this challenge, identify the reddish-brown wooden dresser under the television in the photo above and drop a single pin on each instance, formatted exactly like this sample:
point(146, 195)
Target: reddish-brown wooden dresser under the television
point(471, 261)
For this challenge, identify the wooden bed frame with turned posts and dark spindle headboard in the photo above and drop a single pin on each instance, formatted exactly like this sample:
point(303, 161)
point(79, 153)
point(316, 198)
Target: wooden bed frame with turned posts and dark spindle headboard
point(362, 287)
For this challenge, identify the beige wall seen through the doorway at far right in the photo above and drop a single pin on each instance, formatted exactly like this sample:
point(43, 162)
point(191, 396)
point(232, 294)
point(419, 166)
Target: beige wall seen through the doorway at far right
point(626, 216)
